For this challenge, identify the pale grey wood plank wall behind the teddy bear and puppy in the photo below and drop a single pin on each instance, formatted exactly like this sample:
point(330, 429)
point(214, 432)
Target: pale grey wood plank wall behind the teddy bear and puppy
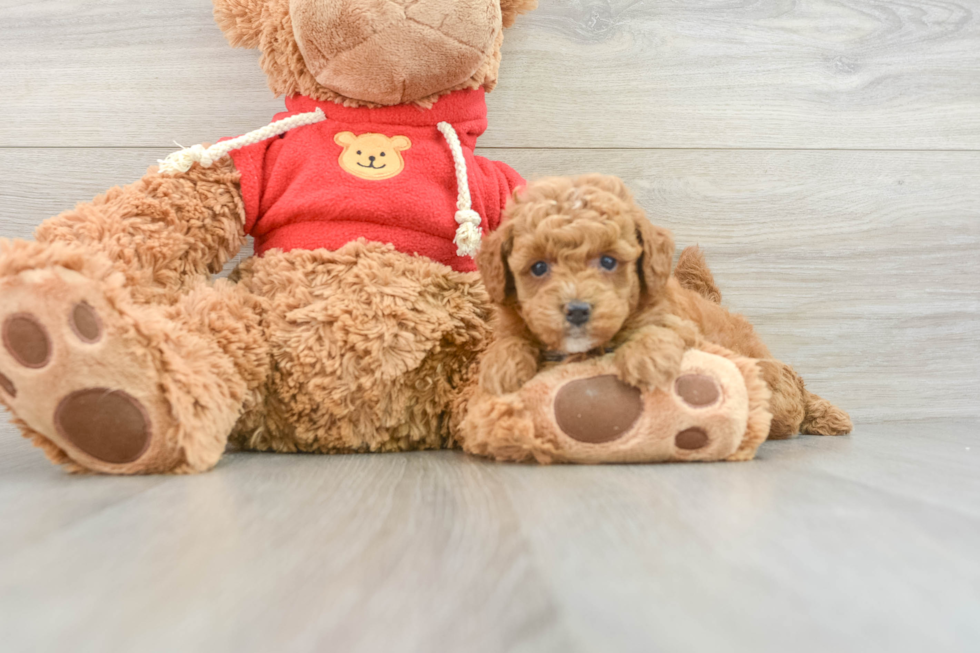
point(826, 154)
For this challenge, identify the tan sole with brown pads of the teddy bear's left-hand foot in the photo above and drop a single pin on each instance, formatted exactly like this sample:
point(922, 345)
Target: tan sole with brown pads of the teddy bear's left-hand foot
point(75, 370)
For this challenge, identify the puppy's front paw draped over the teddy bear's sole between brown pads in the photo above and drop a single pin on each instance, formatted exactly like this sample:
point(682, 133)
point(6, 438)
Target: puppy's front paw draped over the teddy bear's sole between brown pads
point(651, 359)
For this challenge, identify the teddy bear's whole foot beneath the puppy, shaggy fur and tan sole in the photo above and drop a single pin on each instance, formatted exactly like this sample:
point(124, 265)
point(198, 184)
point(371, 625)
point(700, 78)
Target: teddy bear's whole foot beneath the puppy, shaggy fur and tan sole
point(715, 409)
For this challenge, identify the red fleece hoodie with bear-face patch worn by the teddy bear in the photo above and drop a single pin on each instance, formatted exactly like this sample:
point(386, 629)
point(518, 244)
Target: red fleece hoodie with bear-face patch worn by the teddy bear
point(384, 174)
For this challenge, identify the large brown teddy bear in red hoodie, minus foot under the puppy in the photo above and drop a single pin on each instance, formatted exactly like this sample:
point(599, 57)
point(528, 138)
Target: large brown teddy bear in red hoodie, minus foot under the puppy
point(358, 322)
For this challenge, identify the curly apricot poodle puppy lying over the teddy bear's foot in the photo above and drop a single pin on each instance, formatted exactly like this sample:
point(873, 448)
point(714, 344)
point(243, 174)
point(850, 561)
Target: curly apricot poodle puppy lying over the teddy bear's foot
point(576, 269)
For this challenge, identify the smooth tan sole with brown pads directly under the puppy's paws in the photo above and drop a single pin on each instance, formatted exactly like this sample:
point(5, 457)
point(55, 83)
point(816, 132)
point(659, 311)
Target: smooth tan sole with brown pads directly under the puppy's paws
point(701, 415)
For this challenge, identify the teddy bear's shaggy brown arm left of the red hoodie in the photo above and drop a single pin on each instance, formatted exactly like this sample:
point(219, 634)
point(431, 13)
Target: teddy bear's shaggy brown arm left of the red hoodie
point(163, 230)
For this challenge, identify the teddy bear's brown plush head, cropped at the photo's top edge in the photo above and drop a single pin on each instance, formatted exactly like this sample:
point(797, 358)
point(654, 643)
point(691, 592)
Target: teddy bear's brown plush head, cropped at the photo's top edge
point(373, 52)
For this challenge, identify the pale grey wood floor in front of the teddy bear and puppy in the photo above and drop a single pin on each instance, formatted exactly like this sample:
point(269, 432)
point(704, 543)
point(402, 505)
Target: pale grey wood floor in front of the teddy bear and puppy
point(866, 543)
